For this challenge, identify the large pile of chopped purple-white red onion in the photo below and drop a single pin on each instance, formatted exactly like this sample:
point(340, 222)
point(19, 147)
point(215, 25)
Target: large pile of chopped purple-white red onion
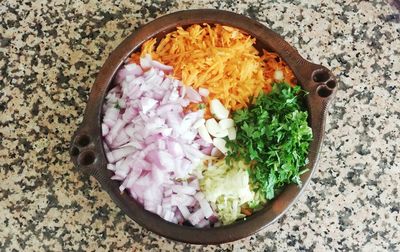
point(153, 143)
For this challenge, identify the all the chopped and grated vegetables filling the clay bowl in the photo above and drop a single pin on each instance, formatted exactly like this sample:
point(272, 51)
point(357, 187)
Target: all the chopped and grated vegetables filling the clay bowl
point(201, 129)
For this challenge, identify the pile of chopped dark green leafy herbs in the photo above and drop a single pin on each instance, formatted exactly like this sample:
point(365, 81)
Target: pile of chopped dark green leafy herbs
point(273, 136)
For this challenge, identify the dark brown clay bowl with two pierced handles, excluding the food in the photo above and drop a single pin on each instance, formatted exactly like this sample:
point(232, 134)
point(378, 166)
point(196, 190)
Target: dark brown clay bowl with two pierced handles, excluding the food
point(87, 149)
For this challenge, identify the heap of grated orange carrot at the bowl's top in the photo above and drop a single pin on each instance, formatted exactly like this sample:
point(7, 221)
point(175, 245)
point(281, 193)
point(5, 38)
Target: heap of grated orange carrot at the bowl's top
point(220, 58)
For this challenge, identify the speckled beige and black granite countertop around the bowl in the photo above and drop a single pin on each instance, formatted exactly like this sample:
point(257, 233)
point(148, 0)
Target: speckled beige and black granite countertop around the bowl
point(50, 54)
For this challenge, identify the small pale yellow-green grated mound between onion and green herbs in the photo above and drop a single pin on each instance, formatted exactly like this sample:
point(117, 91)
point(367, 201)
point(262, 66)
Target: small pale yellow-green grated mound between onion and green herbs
point(227, 188)
